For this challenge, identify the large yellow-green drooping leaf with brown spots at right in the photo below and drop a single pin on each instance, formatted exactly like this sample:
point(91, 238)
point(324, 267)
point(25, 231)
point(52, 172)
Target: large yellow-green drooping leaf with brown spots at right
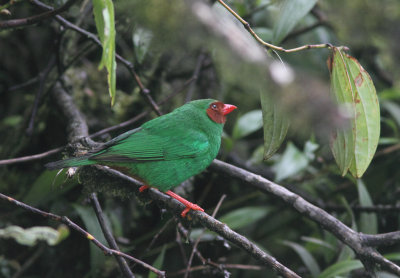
point(352, 87)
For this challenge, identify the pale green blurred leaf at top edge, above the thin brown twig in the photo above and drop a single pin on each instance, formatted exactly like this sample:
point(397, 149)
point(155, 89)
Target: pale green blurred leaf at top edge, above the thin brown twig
point(291, 12)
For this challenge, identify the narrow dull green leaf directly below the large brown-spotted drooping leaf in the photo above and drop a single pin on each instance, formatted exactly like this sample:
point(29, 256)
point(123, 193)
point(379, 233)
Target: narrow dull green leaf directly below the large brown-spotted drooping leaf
point(368, 221)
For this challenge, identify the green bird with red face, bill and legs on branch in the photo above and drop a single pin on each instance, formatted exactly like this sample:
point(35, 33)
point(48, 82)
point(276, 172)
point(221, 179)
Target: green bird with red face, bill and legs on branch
point(165, 151)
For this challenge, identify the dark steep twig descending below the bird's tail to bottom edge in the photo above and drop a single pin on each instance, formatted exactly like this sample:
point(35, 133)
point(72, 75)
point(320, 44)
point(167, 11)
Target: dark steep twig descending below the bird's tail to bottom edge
point(123, 265)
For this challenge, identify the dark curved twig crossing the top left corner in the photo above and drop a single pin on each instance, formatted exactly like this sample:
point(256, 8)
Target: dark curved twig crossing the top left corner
point(12, 23)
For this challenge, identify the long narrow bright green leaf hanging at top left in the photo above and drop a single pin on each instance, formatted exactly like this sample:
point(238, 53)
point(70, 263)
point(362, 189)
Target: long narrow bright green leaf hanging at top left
point(104, 17)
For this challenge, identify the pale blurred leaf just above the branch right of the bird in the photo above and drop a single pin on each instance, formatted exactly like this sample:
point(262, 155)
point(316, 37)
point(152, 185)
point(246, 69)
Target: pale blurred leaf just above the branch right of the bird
point(292, 162)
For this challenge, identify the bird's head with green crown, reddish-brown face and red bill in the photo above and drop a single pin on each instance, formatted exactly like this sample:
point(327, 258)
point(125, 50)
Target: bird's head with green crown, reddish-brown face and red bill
point(216, 110)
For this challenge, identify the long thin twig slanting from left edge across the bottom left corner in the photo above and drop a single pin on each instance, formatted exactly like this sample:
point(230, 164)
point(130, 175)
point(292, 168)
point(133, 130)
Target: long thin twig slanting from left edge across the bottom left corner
point(65, 220)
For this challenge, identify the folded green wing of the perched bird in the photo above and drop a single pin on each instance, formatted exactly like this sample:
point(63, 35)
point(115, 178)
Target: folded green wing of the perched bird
point(154, 145)
